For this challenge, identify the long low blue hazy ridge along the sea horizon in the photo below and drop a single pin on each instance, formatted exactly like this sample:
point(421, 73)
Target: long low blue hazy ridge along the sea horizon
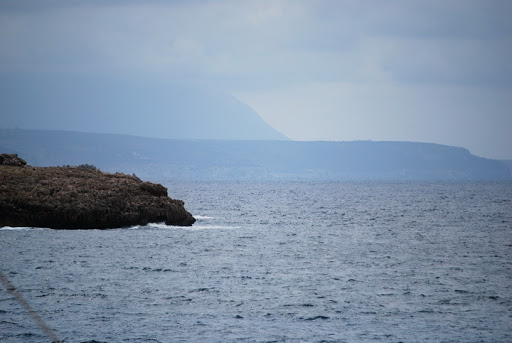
point(158, 159)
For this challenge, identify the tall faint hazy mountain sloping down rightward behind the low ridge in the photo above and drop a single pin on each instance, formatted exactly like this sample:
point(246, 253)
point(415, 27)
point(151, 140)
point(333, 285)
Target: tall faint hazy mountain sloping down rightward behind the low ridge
point(143, 107)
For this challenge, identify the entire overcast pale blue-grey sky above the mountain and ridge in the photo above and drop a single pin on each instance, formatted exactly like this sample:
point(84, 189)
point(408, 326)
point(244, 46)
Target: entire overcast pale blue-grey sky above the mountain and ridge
point(341, 70)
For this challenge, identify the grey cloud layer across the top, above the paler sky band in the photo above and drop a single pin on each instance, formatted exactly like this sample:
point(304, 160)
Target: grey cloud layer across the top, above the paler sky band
point(270, 43)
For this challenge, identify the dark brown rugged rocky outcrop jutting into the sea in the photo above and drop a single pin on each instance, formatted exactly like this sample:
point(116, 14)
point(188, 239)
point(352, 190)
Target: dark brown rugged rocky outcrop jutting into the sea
point(82, 198)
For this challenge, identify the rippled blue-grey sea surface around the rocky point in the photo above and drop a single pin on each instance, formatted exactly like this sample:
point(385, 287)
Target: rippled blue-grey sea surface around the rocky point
point(277, 262)
